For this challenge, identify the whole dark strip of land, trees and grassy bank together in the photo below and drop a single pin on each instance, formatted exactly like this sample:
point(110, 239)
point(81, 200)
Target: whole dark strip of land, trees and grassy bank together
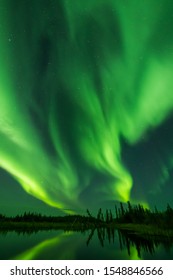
point(131, 219)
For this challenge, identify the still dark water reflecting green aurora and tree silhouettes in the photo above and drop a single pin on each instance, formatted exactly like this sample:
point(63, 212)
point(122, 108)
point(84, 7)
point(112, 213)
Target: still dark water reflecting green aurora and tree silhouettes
point(91, 244)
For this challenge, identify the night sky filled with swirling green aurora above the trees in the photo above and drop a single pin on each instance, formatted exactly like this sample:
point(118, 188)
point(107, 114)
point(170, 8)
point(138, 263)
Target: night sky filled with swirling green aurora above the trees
point(86, 104)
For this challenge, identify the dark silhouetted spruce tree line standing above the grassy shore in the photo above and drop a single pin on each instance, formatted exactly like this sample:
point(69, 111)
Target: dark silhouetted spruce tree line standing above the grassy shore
point(125, 213)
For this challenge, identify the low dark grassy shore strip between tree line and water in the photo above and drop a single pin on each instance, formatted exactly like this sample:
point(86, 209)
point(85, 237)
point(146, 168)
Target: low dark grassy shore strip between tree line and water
point(141, 230)
